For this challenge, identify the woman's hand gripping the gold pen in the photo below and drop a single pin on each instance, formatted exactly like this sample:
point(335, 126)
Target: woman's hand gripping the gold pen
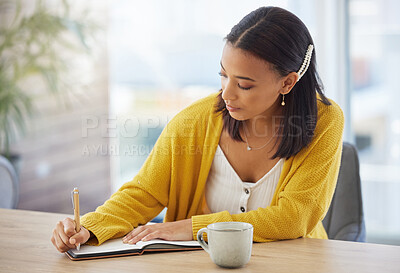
point(65, 237)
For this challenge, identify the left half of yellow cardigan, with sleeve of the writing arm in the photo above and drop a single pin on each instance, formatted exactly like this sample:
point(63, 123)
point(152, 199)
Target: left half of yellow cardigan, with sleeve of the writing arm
point(169, 163)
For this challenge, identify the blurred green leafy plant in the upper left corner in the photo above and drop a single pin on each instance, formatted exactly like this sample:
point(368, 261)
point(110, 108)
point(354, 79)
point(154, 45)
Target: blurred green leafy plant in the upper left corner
point(30, 46)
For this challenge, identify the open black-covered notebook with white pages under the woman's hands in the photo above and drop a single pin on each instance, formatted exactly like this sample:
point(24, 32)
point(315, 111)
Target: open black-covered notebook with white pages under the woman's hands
point(116, 248)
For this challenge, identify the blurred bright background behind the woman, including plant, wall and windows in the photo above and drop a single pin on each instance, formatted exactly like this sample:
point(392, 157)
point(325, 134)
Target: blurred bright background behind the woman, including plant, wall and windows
point(87, 87)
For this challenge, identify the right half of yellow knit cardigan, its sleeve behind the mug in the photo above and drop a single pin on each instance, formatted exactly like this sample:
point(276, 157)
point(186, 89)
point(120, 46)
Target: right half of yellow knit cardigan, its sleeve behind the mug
point(304, 197)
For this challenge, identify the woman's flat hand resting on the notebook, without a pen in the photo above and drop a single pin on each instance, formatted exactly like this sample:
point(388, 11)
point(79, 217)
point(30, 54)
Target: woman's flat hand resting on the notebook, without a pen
point(170, 231)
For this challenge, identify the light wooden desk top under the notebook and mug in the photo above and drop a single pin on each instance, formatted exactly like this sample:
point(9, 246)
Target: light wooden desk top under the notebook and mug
point(25, 247)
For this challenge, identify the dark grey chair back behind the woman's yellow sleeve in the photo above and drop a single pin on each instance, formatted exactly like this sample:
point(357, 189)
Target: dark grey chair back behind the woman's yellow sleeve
point(345, 217)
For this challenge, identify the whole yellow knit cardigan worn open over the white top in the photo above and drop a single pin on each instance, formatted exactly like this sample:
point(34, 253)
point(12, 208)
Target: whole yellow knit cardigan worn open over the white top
point(175, 173)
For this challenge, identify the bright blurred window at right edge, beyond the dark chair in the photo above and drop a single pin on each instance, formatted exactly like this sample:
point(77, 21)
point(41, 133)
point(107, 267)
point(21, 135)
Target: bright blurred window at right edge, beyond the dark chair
point(375, 56)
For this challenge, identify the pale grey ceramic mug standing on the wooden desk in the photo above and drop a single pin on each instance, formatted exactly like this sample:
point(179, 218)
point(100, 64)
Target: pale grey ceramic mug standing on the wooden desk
point(229, 243)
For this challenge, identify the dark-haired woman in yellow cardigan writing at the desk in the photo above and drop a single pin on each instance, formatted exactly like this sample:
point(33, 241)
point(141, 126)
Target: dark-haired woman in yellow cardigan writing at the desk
point(264, 150)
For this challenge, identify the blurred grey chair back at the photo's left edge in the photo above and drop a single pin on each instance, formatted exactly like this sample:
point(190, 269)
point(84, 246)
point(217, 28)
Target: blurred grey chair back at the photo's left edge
point(8, 185)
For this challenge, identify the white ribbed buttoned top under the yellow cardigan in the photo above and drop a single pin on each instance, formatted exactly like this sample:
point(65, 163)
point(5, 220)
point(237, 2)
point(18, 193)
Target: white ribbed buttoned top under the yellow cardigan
point(226, 191)
